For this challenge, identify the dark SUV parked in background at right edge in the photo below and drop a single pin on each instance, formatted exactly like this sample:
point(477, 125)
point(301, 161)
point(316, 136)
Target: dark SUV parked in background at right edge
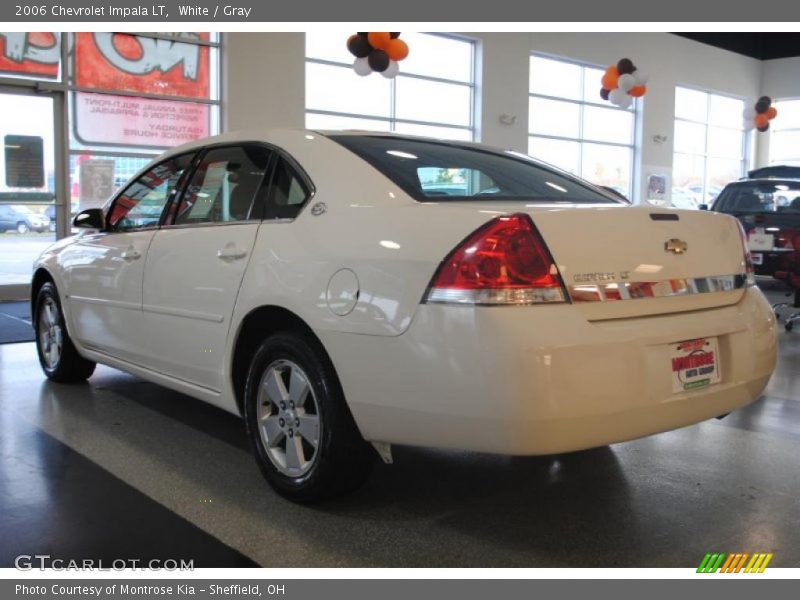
point(768, 206)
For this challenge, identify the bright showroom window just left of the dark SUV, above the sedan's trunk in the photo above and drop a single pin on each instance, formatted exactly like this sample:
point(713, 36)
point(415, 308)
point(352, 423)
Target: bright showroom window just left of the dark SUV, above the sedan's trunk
point(709, 145)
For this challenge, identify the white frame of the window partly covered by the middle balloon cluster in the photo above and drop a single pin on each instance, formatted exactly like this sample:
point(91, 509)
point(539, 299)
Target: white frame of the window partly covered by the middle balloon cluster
point(581, 140)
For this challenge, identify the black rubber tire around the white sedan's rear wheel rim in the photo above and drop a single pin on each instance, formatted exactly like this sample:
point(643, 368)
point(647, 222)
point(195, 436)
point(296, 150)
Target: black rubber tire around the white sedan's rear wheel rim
point(342, 459)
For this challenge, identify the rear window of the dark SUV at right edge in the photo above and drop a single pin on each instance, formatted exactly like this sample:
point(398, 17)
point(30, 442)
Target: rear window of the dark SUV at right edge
point(759, 197)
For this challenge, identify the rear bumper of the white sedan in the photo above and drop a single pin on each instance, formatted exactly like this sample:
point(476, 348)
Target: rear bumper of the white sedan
point(543, 379)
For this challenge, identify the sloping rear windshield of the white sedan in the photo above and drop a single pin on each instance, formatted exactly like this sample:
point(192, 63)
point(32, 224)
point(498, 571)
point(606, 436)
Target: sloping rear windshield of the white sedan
point(439, 171)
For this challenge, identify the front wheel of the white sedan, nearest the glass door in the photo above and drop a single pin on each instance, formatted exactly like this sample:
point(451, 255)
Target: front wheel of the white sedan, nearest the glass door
point(58, 357)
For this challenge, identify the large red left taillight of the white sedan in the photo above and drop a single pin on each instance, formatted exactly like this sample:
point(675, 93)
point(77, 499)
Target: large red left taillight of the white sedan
point(504, 262)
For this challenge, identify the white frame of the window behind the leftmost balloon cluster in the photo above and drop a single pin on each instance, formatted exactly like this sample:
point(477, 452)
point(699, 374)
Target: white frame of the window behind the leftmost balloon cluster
point(392, 120)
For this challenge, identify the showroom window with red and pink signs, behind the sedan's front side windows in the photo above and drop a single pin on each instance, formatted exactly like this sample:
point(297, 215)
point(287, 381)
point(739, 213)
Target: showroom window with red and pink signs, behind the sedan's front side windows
point(132, 96)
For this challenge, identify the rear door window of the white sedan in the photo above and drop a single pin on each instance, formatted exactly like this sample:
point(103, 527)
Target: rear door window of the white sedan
point(224, 186)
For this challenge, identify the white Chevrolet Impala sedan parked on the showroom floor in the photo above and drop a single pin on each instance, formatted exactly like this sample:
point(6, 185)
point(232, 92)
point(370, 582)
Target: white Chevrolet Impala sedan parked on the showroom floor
point(342, 289)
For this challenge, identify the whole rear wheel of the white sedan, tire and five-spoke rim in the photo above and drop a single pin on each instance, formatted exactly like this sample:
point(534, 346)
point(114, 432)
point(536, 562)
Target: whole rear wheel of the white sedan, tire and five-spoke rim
point(303, 435)
